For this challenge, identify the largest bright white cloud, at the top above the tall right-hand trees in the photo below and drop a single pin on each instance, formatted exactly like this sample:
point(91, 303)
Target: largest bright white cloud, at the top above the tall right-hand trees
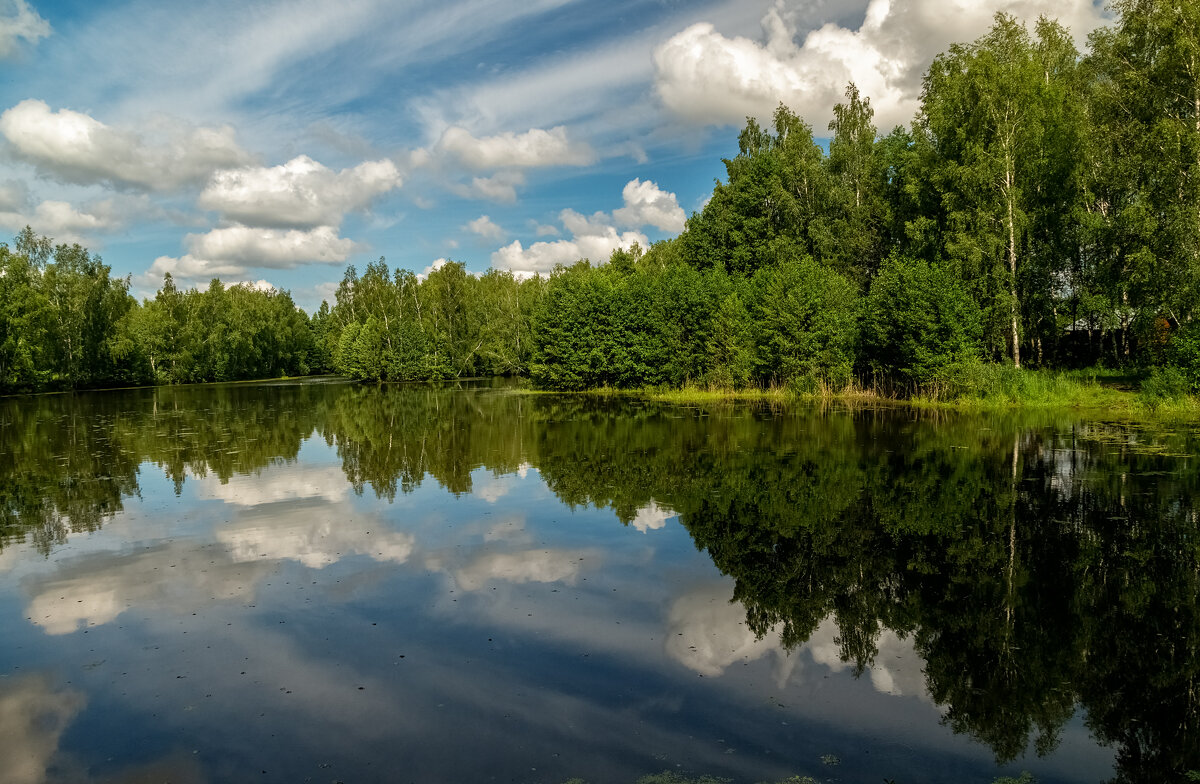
point(709, 79)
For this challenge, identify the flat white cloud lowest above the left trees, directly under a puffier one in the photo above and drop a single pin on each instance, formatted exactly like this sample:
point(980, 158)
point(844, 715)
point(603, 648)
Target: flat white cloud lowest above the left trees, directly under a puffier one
point(232, 252)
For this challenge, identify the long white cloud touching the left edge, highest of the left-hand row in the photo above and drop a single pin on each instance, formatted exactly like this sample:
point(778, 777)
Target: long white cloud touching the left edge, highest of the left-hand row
point(76, 148)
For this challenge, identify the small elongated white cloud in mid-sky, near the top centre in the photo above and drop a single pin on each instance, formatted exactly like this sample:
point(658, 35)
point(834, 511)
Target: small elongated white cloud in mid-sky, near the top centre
point(535, 148)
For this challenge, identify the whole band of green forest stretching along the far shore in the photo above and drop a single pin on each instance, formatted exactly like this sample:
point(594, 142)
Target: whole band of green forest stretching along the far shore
point(1042, 211)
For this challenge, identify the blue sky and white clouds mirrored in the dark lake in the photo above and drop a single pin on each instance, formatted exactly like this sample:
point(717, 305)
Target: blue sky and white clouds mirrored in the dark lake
point(281, 624)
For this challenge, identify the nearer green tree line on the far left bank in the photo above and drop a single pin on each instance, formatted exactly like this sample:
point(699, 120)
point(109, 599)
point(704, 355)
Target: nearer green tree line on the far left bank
point(65, 322)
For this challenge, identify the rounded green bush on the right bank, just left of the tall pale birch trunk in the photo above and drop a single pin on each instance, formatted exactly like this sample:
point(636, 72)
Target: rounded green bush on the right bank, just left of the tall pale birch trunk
point(919, 321)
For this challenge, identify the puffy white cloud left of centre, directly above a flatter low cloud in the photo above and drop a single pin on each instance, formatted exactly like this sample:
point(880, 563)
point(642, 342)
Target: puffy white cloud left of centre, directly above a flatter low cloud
point(301, 194)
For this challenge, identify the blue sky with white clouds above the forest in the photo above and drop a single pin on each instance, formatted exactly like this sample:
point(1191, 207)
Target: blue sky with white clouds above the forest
point(275, 143)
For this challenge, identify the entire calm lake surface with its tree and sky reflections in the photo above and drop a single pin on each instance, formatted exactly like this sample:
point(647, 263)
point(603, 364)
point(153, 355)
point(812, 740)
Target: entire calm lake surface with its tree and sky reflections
point(331, 583)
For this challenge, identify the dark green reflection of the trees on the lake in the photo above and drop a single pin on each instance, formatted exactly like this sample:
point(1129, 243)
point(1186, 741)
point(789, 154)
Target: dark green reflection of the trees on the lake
point(1037, 566)
